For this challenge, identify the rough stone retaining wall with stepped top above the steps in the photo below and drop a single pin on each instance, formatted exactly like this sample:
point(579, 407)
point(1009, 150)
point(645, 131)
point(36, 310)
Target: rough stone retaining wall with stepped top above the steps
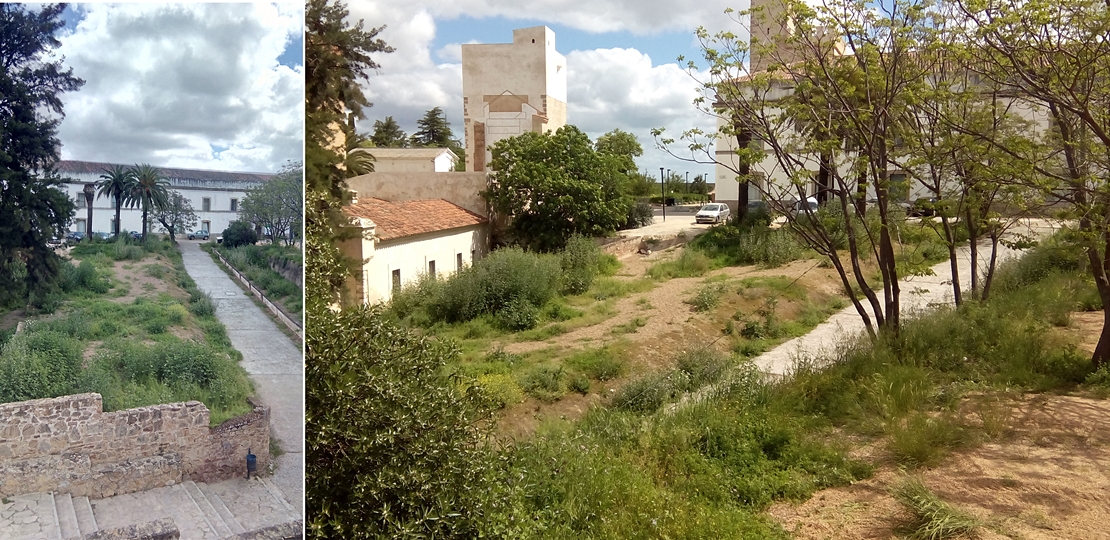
point(69, 445)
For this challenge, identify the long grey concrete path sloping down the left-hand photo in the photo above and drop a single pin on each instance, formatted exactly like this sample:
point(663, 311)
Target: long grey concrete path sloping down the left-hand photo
point(275, 362)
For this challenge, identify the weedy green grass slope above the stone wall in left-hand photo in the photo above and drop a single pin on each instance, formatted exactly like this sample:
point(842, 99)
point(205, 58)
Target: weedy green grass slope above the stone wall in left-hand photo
point(137, 357)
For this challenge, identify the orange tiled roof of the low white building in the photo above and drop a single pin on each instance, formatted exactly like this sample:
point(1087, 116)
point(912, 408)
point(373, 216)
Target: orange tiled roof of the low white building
point(408, 218)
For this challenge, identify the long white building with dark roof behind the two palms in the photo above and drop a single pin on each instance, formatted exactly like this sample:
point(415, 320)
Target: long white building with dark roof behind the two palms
point(215, 196)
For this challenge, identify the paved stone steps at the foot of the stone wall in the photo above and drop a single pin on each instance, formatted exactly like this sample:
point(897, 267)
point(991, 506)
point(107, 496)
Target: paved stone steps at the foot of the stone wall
point(235, 509)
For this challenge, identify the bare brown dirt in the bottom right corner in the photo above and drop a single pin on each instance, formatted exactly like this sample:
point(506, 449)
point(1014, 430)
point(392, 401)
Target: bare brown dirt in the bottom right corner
point(1048, 477)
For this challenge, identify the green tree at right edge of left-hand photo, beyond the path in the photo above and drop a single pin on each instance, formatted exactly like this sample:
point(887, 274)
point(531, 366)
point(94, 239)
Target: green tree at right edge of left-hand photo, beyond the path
point(278, 205)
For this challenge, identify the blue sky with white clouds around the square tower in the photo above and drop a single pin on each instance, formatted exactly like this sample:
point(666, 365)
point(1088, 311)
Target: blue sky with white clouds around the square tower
point(622, 69)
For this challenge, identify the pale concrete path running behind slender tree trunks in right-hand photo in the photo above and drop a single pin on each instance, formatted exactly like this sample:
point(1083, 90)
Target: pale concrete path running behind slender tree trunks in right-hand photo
point(919, 293)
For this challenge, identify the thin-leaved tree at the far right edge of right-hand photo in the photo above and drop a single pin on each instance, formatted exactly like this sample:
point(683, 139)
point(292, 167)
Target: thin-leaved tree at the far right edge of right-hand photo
point(1056, 55)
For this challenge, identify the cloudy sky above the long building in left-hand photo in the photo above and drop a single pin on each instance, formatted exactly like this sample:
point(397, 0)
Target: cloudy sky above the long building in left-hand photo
point(217, 87)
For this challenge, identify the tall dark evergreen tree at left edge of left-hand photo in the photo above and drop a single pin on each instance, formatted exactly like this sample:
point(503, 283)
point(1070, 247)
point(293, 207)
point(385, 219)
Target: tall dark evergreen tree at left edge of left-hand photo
point(34, 209)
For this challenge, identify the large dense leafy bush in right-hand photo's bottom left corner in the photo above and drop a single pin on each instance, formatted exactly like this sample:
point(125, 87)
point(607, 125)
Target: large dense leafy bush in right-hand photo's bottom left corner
point(402, 418)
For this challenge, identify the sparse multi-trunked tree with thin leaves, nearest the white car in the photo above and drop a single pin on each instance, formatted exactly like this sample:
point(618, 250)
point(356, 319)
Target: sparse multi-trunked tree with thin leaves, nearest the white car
point(824, 115)
